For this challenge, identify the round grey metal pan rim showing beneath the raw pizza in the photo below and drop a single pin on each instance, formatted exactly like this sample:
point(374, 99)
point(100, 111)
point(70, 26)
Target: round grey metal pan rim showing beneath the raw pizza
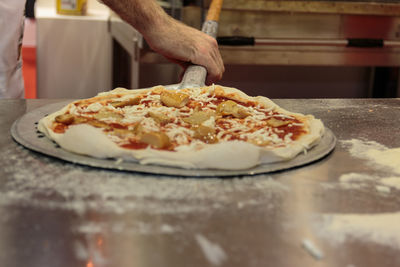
point(24, 131)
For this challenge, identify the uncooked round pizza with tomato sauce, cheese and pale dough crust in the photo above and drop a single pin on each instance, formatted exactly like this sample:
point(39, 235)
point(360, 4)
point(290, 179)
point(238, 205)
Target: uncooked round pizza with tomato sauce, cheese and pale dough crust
point(207, 127)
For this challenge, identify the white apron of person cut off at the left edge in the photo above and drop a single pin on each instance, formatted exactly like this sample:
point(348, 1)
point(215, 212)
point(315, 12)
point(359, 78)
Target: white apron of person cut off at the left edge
point(11, 30)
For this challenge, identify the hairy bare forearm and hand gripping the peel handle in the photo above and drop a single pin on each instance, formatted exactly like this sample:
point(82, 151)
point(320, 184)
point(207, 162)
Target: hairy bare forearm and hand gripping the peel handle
point(169, 37)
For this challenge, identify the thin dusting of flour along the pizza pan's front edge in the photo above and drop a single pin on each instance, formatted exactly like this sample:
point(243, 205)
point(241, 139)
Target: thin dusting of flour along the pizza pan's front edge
point(57, 185)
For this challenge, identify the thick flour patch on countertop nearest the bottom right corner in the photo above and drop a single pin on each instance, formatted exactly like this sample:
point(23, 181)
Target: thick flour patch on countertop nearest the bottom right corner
point(383, 228)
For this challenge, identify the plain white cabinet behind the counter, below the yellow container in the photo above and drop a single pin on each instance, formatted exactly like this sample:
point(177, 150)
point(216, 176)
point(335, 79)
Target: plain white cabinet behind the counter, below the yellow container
point(74, 53)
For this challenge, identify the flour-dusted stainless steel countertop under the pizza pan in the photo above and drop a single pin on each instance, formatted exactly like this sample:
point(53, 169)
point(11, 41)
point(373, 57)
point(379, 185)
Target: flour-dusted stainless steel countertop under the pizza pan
point(54, 213)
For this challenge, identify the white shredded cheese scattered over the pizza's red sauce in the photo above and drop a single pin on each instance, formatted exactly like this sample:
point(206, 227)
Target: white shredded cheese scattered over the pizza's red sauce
point(252, 128)
